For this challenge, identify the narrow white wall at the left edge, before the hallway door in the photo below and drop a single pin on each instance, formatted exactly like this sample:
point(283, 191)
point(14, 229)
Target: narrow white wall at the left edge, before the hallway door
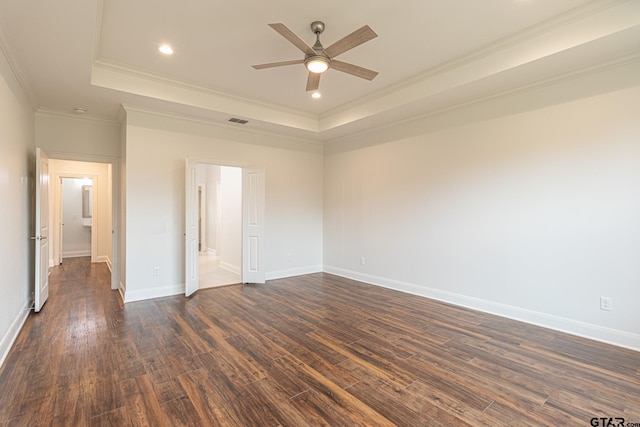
point(17, 162)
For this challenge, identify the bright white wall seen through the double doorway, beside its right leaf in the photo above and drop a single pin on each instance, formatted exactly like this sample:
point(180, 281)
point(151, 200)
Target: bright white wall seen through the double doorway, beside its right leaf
point(231, 219)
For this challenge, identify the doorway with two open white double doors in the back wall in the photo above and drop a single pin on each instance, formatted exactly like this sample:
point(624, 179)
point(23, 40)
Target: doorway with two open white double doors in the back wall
point(248, 193)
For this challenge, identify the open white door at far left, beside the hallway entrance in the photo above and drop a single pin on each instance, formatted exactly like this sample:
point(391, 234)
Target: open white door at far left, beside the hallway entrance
point(41, 287)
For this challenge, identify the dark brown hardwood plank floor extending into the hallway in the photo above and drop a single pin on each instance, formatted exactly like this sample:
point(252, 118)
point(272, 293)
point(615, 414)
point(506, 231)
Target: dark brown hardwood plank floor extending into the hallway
point(311, 350)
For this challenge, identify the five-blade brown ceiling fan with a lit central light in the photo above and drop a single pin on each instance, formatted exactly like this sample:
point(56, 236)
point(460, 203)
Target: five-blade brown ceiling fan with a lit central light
point(318, 59)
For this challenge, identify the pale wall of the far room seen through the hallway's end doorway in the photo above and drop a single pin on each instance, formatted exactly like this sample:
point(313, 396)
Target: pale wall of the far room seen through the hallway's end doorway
point(76, 235)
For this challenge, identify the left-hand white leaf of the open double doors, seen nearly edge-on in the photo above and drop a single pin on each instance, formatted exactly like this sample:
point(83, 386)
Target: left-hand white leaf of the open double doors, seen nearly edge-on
point(191, 229)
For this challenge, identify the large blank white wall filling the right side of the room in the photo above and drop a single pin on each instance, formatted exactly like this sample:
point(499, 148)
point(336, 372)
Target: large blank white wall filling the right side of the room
point(532, 215)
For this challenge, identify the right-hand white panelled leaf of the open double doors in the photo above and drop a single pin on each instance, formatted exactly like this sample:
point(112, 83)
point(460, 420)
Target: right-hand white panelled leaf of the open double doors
point(253, 189)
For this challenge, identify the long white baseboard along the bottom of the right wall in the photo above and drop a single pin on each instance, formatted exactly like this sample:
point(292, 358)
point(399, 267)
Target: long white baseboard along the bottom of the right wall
point(561, 324)
